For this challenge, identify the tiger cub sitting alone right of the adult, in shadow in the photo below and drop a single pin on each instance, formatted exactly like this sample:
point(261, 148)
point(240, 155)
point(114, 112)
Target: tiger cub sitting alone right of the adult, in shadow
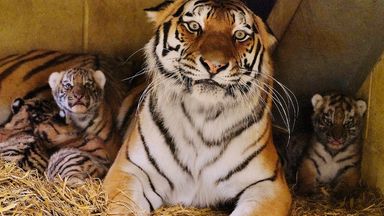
point(333, 156)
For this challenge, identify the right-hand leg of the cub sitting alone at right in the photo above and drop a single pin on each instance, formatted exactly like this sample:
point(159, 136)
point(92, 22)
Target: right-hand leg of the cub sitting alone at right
point(346, 183)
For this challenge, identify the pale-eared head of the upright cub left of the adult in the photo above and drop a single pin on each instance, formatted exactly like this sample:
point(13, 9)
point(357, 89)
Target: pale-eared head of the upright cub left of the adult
point(77, 90)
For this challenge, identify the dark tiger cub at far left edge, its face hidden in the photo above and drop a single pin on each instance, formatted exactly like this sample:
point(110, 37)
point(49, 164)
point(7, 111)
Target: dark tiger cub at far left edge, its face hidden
point(18, 143)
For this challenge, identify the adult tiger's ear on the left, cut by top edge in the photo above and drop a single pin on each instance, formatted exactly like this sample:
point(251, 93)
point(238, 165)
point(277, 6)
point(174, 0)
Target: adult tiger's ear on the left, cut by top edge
point(160, 12)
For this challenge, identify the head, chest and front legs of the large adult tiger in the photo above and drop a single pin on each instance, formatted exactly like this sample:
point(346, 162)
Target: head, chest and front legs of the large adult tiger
point(203, 133)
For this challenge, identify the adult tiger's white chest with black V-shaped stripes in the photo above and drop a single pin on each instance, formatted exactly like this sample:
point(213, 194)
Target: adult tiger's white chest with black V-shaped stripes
point(199, 161)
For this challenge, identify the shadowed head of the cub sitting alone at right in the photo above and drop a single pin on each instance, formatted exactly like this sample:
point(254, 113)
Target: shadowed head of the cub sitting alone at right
point(337, 120)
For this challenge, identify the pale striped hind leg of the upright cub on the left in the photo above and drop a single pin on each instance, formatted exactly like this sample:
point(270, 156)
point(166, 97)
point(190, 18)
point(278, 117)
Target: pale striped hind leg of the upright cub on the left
point(75, 166)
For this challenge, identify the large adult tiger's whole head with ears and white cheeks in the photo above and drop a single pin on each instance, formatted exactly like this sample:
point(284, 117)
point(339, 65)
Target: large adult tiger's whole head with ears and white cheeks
point(213, 50)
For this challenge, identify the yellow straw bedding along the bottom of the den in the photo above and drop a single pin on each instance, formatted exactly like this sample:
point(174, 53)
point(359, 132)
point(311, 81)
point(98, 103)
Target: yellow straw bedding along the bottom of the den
point(27, 193)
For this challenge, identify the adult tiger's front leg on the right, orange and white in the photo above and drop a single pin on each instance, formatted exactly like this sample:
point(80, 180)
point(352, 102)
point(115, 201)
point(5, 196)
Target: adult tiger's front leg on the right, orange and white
point(270, 197)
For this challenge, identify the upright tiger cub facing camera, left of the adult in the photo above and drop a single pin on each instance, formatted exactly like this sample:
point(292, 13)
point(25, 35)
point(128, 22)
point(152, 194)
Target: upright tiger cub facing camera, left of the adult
point(86, 142)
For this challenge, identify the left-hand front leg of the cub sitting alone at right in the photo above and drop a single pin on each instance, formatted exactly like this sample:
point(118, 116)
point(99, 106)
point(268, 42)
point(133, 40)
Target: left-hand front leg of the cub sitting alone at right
point(307, 182)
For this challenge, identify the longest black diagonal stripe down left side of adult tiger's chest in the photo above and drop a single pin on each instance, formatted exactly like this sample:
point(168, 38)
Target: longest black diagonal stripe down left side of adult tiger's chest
point(159, 121)
